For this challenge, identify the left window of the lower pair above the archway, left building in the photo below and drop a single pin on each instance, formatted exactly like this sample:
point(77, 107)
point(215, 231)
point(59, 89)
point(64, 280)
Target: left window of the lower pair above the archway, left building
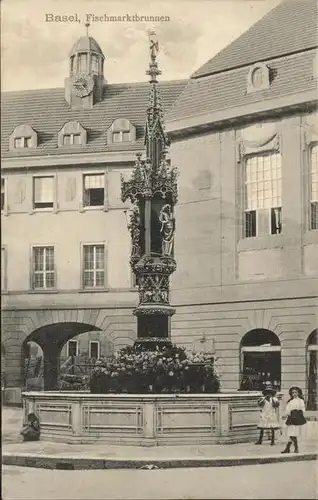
point(43, 268)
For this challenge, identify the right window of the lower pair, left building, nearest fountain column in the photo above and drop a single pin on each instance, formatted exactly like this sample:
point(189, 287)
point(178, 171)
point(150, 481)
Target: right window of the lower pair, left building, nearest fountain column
point(94, 266)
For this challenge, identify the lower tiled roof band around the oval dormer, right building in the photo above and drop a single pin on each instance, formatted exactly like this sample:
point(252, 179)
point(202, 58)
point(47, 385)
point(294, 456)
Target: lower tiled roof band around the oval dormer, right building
point(226, 90)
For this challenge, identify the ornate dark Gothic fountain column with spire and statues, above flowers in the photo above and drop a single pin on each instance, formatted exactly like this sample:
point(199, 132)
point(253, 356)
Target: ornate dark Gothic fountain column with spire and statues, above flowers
point(152, 190)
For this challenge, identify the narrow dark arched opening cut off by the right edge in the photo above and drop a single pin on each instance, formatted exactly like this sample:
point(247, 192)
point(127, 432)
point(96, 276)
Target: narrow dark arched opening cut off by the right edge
point(312, 364)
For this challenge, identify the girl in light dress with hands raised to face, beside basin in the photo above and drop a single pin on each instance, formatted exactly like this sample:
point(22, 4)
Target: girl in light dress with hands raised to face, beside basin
point(269, 414)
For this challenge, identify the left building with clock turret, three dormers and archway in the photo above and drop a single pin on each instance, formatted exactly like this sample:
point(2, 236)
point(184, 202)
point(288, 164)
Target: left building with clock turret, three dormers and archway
point(65, 242)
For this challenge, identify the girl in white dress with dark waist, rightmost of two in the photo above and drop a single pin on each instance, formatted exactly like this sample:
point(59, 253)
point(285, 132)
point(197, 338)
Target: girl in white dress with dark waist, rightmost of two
point(294, 413)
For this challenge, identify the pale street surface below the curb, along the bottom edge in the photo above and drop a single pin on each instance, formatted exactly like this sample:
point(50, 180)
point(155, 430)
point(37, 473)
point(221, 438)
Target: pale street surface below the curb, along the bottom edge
point(273, 481)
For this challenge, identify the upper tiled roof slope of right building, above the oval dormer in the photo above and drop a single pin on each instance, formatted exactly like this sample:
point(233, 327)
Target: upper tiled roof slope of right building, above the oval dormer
point(290, 27)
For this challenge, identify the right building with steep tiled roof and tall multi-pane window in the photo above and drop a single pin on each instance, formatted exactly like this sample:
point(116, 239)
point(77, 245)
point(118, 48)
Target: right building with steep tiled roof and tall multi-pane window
point(244, 132)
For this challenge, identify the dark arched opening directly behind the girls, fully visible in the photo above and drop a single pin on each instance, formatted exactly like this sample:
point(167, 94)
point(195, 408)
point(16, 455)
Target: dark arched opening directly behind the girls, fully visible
point(260, 360)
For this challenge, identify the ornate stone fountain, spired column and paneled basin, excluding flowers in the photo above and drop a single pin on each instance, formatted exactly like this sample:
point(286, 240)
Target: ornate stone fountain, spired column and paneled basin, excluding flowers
point(148, 419)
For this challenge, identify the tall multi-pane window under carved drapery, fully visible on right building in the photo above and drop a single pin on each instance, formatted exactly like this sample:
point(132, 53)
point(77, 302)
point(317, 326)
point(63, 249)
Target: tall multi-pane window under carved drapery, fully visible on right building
point(263, 176)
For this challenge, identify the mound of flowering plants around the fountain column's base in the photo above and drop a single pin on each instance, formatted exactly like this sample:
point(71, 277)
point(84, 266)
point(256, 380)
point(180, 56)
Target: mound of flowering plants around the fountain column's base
point(168, 370)
